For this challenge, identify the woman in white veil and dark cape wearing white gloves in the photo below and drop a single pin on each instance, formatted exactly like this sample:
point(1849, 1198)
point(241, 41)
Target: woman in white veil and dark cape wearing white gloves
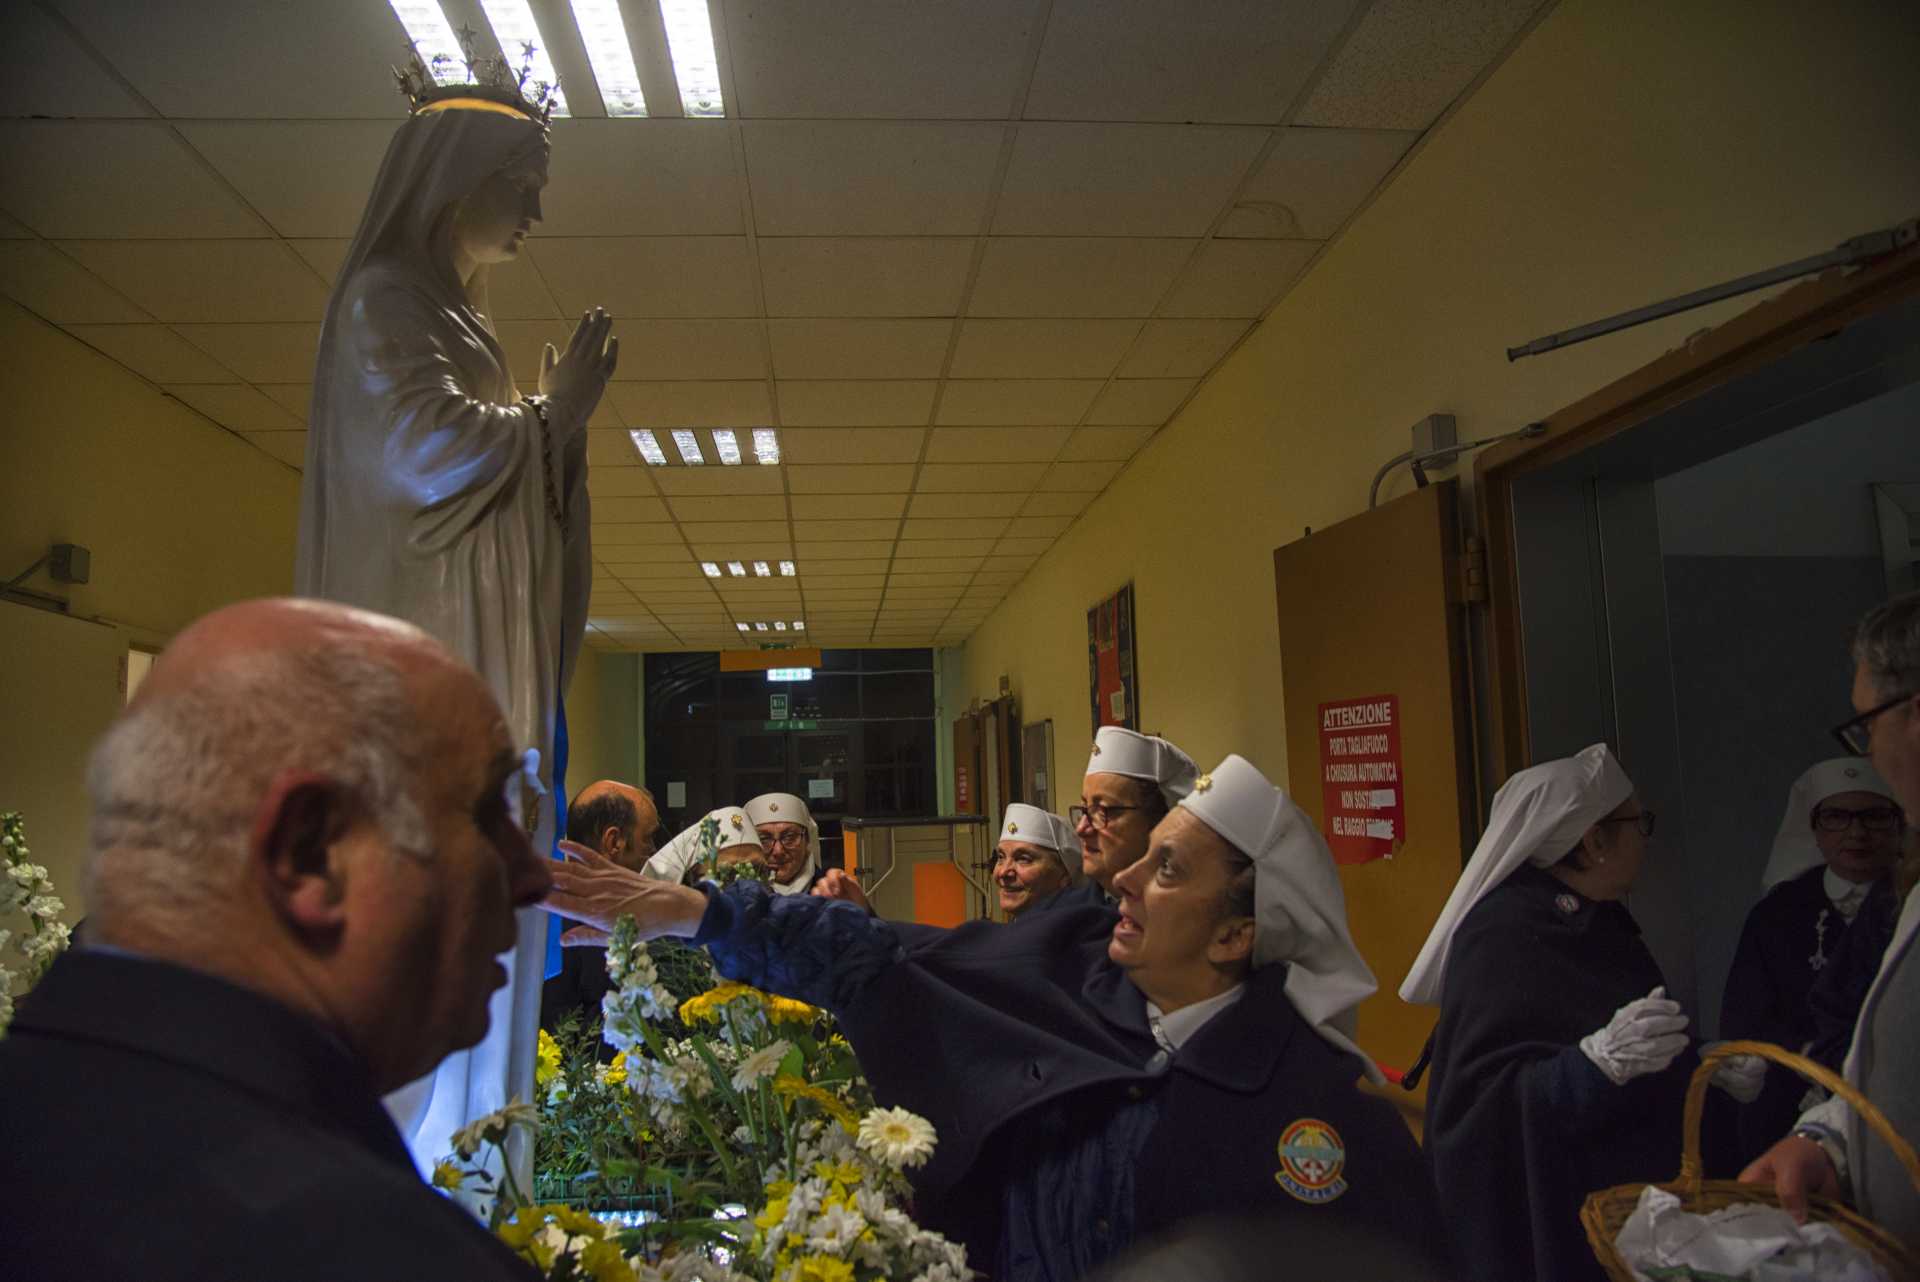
point(1560, 1064)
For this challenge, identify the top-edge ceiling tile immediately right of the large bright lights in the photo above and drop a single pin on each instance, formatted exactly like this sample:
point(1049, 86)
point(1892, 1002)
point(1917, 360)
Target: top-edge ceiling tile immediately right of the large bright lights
point(880, 59)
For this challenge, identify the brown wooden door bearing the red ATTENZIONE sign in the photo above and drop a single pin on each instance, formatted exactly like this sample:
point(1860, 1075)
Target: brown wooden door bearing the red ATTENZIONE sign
point(1374, 627)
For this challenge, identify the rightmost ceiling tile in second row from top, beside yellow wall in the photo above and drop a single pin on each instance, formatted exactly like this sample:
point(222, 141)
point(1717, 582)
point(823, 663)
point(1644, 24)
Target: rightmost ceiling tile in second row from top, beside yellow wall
point(1314, 181)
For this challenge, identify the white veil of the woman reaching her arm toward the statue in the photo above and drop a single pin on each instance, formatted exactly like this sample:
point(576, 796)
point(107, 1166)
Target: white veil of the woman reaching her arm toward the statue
point(1299, 907)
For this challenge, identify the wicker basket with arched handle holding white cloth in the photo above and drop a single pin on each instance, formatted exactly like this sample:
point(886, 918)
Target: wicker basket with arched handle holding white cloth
point(1608, 1210)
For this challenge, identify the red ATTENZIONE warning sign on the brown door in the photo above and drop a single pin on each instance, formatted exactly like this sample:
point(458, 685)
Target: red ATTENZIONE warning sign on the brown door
point(1360, 778)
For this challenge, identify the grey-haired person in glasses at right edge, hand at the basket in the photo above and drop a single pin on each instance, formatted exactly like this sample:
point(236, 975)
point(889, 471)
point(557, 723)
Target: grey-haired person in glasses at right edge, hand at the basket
point(1831, 1152)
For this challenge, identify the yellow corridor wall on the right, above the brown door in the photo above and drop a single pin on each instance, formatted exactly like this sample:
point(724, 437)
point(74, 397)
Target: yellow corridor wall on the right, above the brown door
point(1620, 156)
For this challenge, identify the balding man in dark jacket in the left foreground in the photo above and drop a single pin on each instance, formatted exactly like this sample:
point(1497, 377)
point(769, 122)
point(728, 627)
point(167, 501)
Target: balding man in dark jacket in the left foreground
point(304, 868)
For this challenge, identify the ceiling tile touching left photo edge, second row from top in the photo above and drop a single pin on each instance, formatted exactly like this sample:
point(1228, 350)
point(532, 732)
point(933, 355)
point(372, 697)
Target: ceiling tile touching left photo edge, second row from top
point(101, 181)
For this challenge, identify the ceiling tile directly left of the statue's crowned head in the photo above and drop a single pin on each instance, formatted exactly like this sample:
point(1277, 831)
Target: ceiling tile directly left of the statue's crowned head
point(306, 178)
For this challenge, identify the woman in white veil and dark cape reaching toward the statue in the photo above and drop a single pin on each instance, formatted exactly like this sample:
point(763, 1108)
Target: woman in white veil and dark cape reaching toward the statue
point(1099, 1081)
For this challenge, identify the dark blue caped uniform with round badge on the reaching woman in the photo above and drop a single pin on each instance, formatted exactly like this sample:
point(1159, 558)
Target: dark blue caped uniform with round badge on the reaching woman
point(1065, 1131)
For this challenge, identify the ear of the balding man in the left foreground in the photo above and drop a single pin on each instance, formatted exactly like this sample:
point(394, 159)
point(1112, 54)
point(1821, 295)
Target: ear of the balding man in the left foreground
point(295, 851)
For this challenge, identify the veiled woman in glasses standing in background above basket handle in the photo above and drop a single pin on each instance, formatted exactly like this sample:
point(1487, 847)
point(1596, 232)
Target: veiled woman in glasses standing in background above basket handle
point(1838, 843)
